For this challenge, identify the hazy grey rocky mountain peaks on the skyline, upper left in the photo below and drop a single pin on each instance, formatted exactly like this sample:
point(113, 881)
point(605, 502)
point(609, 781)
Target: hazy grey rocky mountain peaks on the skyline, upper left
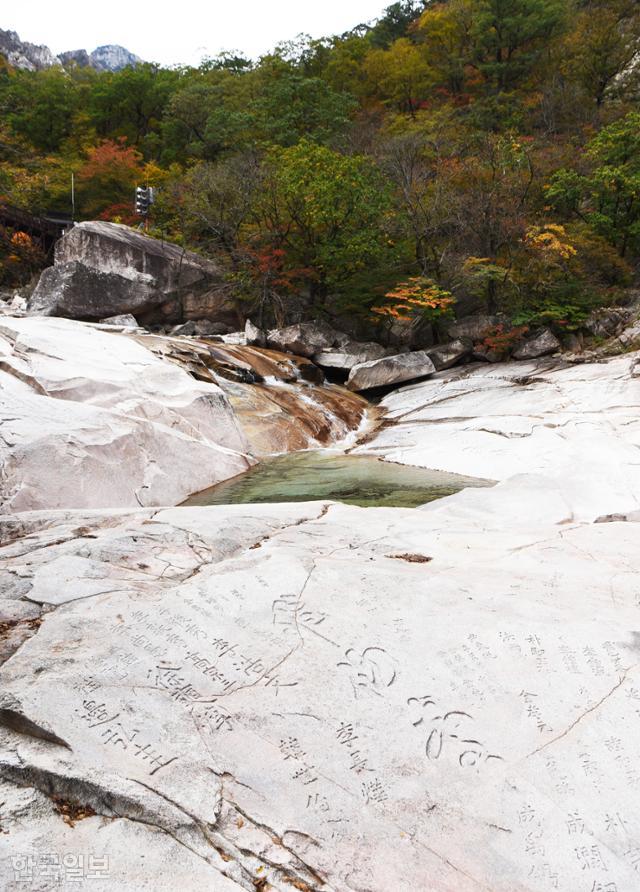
point(31, 57)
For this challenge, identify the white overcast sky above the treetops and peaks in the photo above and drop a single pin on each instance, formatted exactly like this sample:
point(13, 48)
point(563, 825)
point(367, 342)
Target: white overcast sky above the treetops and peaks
point(182, 31)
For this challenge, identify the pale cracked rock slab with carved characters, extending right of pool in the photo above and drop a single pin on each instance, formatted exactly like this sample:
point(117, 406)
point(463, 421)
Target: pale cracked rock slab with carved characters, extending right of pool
point(323, 697)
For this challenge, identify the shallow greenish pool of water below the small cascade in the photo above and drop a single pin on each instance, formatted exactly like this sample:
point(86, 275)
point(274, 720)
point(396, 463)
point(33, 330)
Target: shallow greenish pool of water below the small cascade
point(355, 479)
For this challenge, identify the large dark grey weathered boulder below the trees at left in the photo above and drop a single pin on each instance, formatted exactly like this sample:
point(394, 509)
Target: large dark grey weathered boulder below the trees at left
point(105, 269)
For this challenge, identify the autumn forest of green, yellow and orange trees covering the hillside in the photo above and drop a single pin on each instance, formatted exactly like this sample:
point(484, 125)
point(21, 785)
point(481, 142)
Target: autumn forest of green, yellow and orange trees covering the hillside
point(478, 152)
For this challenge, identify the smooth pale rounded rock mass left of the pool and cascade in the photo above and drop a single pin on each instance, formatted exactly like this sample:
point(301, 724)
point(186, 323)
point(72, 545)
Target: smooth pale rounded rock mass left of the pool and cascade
point(91, 418)
